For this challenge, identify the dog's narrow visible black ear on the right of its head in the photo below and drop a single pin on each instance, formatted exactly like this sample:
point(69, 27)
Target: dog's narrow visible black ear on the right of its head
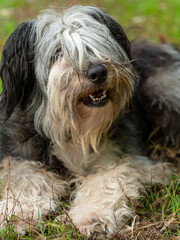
point(115, 29)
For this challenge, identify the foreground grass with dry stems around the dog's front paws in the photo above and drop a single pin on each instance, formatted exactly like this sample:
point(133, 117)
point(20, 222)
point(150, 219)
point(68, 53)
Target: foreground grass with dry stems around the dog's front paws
point(157, 217)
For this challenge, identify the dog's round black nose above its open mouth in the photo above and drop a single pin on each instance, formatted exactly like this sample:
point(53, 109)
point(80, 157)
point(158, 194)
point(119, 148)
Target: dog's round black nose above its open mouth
point(97, 73)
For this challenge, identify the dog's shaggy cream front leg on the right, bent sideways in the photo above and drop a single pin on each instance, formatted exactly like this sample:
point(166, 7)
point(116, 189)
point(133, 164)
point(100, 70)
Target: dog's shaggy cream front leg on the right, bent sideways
point(103, 203)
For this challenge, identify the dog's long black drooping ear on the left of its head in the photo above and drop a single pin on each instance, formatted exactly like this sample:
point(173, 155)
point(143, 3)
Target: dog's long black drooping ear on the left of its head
point(16, 69)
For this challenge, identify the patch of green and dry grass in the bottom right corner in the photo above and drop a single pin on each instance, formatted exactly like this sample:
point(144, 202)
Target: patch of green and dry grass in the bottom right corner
point(159, 211)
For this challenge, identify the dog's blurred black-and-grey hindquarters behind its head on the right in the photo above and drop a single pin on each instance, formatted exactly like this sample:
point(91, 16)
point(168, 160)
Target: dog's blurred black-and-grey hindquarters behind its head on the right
point(157, 62)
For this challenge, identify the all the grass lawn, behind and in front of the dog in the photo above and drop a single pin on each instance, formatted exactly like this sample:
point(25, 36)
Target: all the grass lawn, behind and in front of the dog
point(158, 215)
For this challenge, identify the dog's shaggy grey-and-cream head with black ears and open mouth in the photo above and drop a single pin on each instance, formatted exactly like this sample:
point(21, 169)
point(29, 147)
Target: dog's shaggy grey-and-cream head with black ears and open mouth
point(71, 70)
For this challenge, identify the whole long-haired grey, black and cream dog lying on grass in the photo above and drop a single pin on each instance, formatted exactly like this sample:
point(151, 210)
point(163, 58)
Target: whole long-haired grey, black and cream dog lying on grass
point(76, 103)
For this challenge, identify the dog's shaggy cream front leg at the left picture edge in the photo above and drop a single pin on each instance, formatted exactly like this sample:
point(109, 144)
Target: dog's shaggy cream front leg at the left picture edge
point(28, 191)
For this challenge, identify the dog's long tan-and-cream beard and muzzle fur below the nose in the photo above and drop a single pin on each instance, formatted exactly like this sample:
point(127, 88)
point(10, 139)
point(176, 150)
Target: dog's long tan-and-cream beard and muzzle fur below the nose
point(67, 115)
